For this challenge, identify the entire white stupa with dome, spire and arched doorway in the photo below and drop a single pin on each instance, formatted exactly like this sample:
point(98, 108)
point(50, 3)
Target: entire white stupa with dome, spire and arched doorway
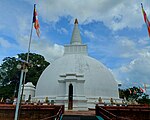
point(76, 80)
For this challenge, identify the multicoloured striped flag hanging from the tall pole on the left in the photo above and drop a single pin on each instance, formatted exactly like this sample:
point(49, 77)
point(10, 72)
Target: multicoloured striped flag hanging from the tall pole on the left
point(36, 22)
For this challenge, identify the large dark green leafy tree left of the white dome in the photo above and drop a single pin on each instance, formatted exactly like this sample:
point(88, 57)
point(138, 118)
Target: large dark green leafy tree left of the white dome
point(10, 75)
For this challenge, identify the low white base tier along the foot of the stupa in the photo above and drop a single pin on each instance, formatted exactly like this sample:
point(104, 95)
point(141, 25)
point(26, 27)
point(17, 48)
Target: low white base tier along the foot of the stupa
point(79, 102)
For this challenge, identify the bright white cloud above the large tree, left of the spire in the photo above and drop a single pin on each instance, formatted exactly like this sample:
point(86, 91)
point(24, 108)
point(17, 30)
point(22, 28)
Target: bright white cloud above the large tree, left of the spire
point(44, 47)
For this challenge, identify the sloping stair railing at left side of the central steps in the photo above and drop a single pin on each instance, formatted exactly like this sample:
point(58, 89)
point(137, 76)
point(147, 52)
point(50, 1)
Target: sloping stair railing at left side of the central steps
point(57, 116)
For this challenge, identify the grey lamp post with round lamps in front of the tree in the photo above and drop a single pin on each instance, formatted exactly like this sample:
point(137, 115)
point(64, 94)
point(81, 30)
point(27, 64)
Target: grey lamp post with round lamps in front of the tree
point(23, 70)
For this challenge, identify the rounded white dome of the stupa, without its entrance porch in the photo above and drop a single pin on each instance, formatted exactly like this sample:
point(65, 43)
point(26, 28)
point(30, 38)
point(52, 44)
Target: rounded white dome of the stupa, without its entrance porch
point(98, 79)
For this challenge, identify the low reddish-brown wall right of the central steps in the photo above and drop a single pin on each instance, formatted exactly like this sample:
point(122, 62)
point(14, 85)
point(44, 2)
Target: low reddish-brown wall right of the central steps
point(132, 112)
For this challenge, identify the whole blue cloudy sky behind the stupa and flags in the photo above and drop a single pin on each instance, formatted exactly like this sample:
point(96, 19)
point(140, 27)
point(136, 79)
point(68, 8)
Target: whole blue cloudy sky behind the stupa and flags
point(114, 31)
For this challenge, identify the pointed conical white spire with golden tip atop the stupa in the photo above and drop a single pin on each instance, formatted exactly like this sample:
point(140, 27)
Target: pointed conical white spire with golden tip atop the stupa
point(76, 38)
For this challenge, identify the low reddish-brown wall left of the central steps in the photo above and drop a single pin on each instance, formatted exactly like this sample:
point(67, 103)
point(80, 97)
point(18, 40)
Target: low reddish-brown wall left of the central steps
point(29, 112)
